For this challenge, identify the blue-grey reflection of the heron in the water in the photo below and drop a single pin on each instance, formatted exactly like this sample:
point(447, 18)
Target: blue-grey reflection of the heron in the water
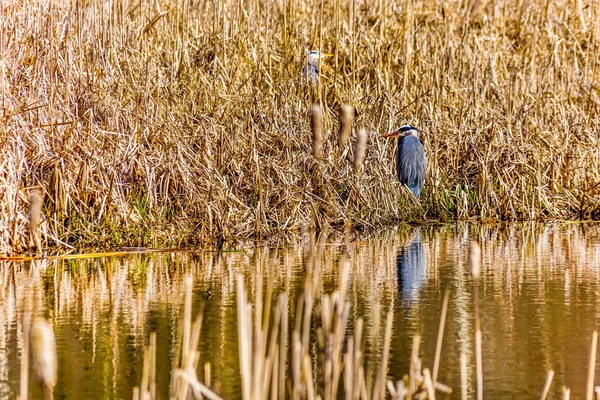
point(411, 265)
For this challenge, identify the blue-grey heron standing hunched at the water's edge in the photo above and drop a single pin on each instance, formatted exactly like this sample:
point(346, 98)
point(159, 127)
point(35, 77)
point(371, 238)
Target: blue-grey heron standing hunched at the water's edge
point(410, 159)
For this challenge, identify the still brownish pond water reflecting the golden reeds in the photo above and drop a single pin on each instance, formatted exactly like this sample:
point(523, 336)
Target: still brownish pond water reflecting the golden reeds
point(539, 303)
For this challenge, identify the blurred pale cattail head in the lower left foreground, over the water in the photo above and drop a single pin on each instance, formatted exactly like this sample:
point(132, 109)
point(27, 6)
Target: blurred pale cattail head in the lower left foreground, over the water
point(43, 353)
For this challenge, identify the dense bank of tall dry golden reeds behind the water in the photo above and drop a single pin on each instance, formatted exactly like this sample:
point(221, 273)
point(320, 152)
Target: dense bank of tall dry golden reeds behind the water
point(185, 122)
